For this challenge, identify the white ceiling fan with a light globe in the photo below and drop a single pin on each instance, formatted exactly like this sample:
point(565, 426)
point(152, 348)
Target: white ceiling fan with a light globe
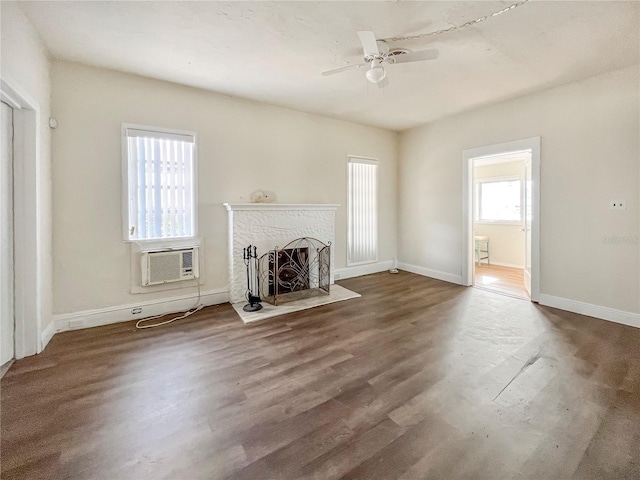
point(376, 53)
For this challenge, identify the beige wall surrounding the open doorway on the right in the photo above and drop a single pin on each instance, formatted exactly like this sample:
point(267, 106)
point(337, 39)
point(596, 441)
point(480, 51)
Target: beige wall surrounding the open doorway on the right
point(589, 154)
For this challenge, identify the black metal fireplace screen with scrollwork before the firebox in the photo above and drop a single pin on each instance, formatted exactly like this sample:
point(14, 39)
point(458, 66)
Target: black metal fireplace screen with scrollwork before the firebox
point(299, 270)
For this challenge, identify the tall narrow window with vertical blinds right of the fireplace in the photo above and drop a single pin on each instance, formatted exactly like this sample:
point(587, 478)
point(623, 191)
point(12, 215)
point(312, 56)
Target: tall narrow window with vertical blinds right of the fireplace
point(363, 211)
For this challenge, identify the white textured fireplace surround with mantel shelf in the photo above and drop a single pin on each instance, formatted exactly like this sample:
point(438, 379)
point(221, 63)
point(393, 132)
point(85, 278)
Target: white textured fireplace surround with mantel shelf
point(270, 225)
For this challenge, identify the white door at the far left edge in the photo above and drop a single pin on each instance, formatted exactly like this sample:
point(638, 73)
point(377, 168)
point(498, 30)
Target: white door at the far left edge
point(7, 319)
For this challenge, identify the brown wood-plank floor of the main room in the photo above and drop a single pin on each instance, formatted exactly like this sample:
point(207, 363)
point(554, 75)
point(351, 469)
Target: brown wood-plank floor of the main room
point(416, 379)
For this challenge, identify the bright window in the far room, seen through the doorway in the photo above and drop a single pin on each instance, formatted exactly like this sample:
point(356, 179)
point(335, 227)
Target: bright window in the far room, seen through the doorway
point(499, 201)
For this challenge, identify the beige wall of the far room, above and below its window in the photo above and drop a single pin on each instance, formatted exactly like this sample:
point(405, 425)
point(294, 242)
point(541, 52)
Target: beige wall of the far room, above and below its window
point(506, 240)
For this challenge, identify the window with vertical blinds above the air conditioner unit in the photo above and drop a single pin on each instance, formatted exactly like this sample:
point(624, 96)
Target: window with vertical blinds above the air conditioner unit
point(160, 175)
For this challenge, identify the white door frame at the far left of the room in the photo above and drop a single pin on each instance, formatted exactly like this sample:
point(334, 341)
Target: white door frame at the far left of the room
point(28, 216)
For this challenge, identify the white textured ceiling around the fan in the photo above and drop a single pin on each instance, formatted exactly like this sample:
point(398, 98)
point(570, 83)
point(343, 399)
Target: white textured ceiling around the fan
point(274, 52)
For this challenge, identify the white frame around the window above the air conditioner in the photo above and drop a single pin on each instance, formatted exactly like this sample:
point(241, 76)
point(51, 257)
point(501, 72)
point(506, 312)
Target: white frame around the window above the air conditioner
point(126, 224)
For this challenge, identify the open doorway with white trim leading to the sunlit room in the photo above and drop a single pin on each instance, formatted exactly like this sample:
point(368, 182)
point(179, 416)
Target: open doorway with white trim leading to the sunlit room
point(501, 218)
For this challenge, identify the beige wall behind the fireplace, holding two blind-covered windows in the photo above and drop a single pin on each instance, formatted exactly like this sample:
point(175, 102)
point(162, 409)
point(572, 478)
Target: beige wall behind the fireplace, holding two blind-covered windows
point(243, 146)
